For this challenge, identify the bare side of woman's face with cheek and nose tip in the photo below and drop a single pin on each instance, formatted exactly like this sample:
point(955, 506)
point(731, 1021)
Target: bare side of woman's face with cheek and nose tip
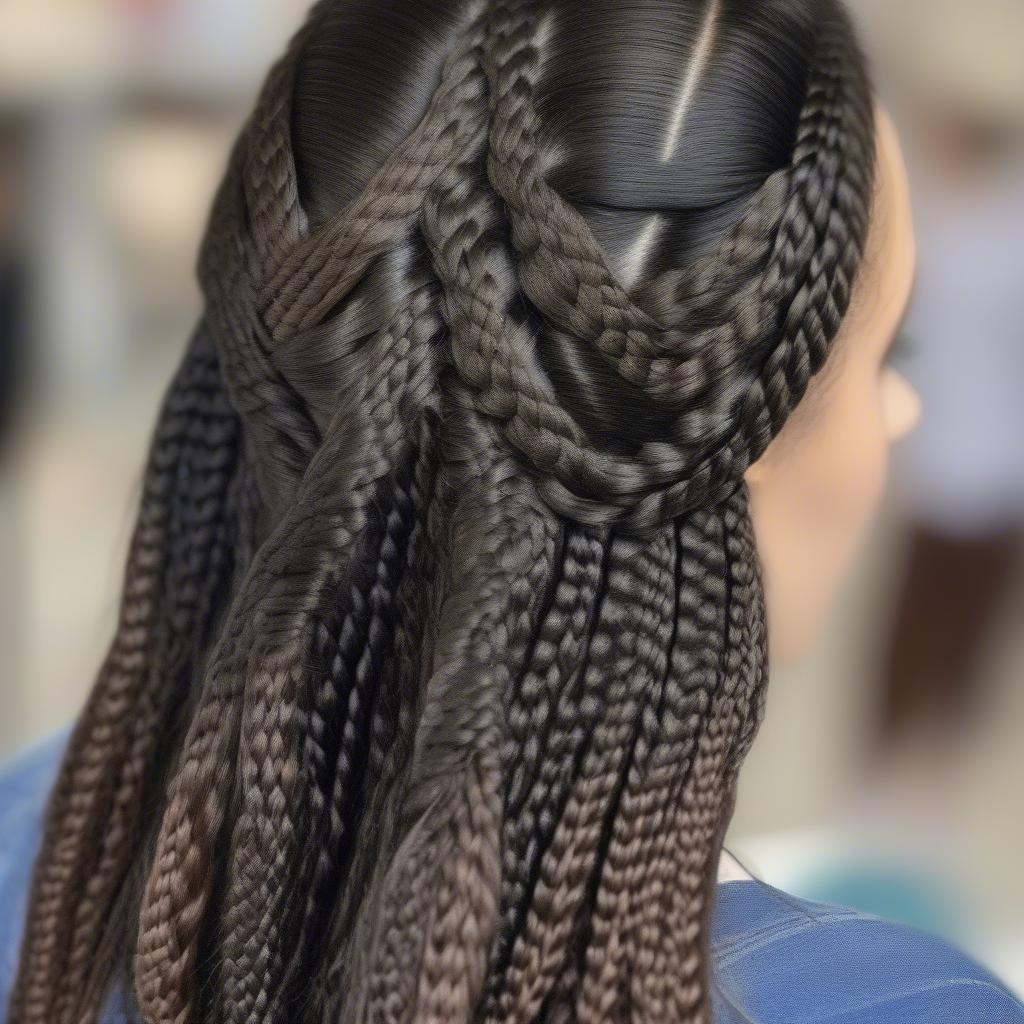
point(815, 491)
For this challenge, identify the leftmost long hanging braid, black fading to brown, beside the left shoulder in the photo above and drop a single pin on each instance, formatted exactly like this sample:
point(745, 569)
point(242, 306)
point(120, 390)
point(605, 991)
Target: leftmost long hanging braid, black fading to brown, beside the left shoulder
point(111, 752)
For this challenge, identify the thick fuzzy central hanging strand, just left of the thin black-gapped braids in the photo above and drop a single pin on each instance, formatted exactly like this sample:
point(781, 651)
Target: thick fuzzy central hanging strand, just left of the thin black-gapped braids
point(484, 625)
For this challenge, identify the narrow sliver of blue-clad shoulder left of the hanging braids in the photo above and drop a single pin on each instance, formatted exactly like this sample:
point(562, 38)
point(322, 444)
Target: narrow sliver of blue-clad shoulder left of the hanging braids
point(26, 783)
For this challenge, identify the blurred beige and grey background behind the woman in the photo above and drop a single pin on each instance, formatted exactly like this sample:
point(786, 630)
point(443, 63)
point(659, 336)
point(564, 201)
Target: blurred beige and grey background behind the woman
point(889, 773)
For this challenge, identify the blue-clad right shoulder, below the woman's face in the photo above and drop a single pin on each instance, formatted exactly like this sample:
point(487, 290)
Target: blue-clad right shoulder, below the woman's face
point(780, 960)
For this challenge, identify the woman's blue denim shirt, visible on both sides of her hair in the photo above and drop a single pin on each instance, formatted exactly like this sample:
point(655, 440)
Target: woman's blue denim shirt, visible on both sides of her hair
point(778, 960)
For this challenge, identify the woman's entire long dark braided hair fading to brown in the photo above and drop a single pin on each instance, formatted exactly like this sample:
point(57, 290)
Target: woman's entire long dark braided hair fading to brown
point(443, 636)
